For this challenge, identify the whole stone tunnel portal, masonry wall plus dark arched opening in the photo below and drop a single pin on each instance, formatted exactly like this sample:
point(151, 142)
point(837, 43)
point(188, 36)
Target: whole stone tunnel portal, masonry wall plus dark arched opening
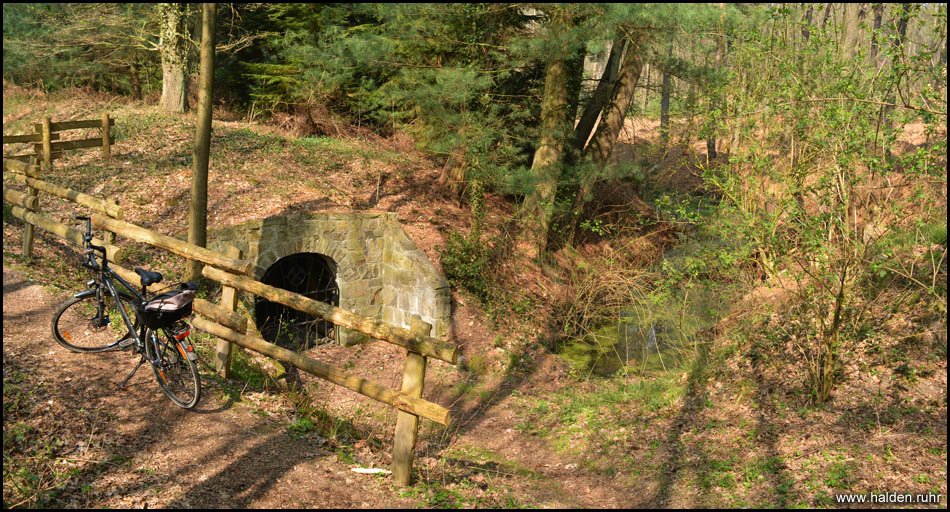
point(360, 262)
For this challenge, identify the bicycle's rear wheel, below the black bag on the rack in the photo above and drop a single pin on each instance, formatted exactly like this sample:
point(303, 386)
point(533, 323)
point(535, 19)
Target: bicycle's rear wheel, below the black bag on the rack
point(176, 374)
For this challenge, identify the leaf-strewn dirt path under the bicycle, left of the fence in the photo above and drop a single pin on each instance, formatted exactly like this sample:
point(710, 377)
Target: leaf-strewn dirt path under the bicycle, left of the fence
point(141, 451)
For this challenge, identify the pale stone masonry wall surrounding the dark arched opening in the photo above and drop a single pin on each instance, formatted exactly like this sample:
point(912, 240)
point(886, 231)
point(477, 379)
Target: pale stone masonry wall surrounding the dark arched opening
point(379, 270)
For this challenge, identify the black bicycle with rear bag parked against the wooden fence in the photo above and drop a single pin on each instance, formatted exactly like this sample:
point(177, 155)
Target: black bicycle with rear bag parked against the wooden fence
point(150, 326)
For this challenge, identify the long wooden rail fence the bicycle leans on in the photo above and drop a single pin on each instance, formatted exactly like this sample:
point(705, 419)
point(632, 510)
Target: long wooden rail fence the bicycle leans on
point(222, 321)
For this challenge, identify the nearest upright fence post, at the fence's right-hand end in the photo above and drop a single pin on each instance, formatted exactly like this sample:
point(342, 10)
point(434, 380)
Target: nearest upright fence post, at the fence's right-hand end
point(407, 425)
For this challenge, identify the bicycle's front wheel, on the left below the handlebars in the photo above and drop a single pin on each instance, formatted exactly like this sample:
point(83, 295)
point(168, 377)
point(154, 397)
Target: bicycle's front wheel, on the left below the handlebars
point(78, 326)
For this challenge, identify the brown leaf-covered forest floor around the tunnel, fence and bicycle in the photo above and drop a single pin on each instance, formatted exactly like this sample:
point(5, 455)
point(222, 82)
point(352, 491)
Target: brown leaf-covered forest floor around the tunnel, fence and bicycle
point(527, 431)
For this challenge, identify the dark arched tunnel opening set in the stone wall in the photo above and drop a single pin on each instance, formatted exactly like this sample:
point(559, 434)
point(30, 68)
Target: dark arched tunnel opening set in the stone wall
point(309, 274)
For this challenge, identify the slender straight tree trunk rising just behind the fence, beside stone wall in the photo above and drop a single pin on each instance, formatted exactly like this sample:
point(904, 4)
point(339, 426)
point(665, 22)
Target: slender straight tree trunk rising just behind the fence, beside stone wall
point(198, 214)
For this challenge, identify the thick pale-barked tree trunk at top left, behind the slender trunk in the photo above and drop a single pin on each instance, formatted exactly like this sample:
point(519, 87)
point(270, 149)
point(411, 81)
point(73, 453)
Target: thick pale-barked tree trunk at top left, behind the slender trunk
point(172, 45)
